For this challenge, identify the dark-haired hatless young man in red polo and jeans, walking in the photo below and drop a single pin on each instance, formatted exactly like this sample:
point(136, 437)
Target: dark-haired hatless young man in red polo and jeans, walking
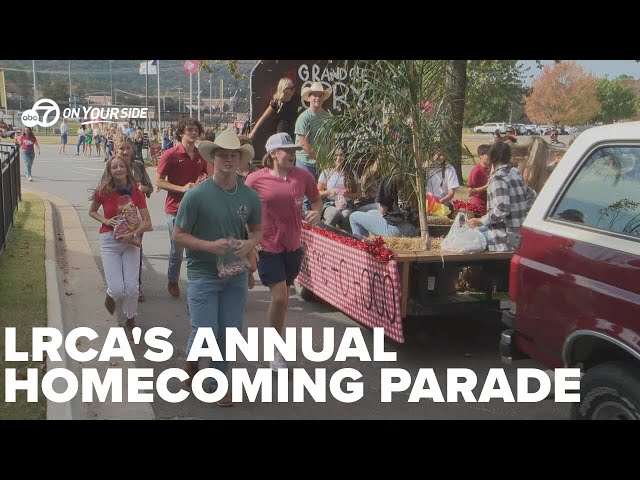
point(179, 169)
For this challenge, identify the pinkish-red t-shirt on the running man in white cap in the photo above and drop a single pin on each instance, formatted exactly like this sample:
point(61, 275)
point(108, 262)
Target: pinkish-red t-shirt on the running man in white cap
point(282, 206)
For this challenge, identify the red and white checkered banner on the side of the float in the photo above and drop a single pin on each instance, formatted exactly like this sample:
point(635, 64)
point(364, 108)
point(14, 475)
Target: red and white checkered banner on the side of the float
point(354, 282)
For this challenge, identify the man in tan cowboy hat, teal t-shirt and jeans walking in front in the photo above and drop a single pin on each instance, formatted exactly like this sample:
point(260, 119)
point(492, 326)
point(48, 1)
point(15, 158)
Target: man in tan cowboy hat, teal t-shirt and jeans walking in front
point(211, 224)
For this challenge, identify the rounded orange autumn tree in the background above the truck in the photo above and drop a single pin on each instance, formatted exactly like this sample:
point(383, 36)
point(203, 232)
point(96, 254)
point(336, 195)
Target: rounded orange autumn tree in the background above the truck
point(564, 94)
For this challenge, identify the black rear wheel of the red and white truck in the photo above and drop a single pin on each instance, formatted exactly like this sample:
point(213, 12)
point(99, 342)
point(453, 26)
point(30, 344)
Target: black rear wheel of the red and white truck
point(610, 391)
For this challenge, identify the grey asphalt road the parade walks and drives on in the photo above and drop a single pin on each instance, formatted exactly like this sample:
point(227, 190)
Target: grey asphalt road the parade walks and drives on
point(436, 343)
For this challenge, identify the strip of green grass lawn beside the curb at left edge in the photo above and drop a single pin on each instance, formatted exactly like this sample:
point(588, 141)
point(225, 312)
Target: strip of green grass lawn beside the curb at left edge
point(24, 302)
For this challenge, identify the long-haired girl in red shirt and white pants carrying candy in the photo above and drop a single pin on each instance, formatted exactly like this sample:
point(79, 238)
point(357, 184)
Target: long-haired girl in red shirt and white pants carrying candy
point(120, 256)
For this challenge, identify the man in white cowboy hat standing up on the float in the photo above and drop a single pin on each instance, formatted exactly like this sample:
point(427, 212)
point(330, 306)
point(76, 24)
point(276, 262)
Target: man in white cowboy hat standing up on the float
point(307, 126)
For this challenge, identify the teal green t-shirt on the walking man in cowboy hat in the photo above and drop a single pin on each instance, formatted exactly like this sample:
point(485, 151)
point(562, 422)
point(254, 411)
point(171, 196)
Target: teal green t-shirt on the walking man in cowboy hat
point(209, 213)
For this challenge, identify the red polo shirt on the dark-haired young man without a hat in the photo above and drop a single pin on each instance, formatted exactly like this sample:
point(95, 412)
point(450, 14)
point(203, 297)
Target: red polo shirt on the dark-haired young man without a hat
point(180, 169)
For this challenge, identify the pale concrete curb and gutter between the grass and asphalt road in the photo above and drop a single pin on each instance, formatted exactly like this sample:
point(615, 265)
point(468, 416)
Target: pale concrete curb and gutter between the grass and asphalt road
point(81, 306)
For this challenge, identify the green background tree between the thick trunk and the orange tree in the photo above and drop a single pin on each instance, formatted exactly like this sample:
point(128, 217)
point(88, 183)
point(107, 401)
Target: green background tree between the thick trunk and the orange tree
point(495, 91)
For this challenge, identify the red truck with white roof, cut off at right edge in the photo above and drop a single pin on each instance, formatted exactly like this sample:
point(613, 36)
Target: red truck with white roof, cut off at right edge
point(575, 277)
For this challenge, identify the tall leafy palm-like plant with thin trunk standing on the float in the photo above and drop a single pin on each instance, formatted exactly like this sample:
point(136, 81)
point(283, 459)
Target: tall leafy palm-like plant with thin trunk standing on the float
point(398, 119)
